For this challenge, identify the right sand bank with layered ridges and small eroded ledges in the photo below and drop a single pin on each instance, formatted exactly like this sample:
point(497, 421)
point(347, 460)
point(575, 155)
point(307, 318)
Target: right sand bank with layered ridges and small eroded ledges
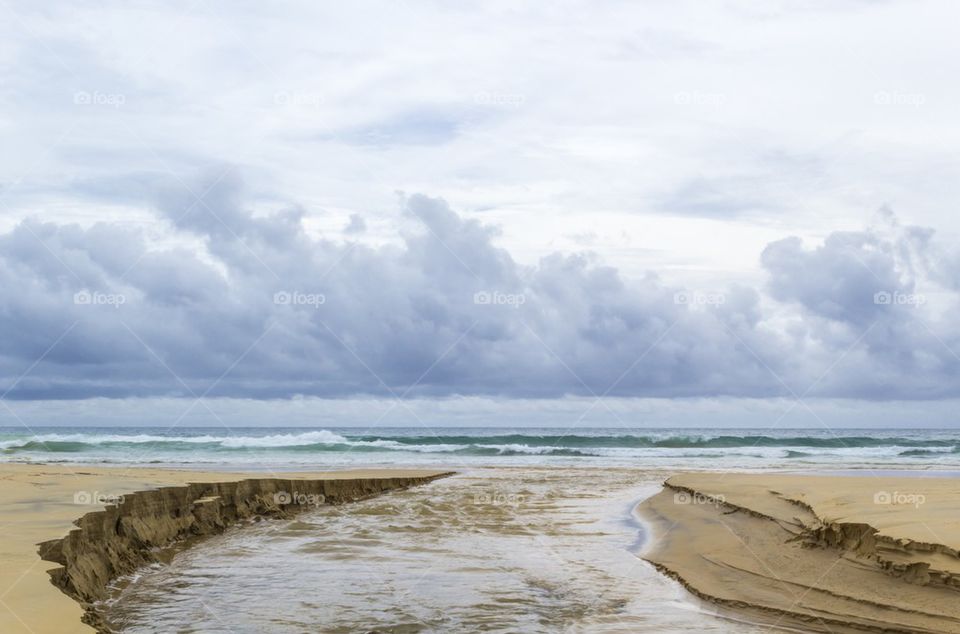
point(819, 553)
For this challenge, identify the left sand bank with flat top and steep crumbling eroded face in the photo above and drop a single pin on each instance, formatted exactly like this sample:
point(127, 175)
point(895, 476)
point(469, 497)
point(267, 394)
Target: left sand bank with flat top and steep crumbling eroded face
point(40, 503)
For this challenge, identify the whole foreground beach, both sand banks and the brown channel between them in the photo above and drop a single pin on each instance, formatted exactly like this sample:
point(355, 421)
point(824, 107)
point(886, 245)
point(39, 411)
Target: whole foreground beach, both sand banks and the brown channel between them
point(532, 548)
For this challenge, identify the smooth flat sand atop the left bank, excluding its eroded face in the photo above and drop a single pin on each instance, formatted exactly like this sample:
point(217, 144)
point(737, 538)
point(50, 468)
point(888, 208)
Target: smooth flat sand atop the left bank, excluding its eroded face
point(41, 502)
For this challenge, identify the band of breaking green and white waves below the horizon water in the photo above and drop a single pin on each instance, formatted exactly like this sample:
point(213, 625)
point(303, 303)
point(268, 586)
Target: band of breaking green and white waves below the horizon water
point(646, 446)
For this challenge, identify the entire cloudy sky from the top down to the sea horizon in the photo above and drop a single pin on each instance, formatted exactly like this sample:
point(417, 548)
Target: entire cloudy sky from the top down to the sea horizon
point(578, 213)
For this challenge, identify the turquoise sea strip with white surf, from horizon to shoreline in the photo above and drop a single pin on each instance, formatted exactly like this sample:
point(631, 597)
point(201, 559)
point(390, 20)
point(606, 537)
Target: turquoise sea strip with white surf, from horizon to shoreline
point(279, 447)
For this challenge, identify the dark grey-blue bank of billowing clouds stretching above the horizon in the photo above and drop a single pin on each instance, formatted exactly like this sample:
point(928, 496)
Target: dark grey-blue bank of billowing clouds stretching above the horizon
point(266, 311)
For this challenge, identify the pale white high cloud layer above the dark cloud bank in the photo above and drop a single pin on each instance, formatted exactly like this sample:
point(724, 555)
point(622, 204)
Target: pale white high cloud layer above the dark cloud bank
point(680, 143)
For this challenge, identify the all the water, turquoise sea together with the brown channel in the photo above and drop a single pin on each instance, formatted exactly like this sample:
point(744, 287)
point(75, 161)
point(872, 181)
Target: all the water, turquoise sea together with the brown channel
point(537, 531)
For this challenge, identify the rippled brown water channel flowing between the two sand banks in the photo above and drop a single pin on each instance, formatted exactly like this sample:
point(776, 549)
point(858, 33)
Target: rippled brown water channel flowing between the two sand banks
point(532, 550)
